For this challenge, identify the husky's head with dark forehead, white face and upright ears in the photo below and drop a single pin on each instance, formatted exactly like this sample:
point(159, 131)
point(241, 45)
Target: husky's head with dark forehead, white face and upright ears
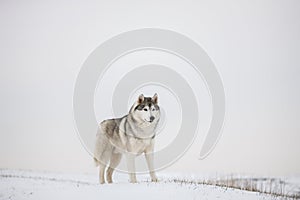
point(146, 109)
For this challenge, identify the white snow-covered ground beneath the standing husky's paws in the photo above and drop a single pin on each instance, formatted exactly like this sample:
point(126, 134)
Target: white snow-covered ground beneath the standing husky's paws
point(19, 184)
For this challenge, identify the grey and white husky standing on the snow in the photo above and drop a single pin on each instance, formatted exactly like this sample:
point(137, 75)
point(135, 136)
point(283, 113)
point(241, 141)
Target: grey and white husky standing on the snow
point(130, 135)
